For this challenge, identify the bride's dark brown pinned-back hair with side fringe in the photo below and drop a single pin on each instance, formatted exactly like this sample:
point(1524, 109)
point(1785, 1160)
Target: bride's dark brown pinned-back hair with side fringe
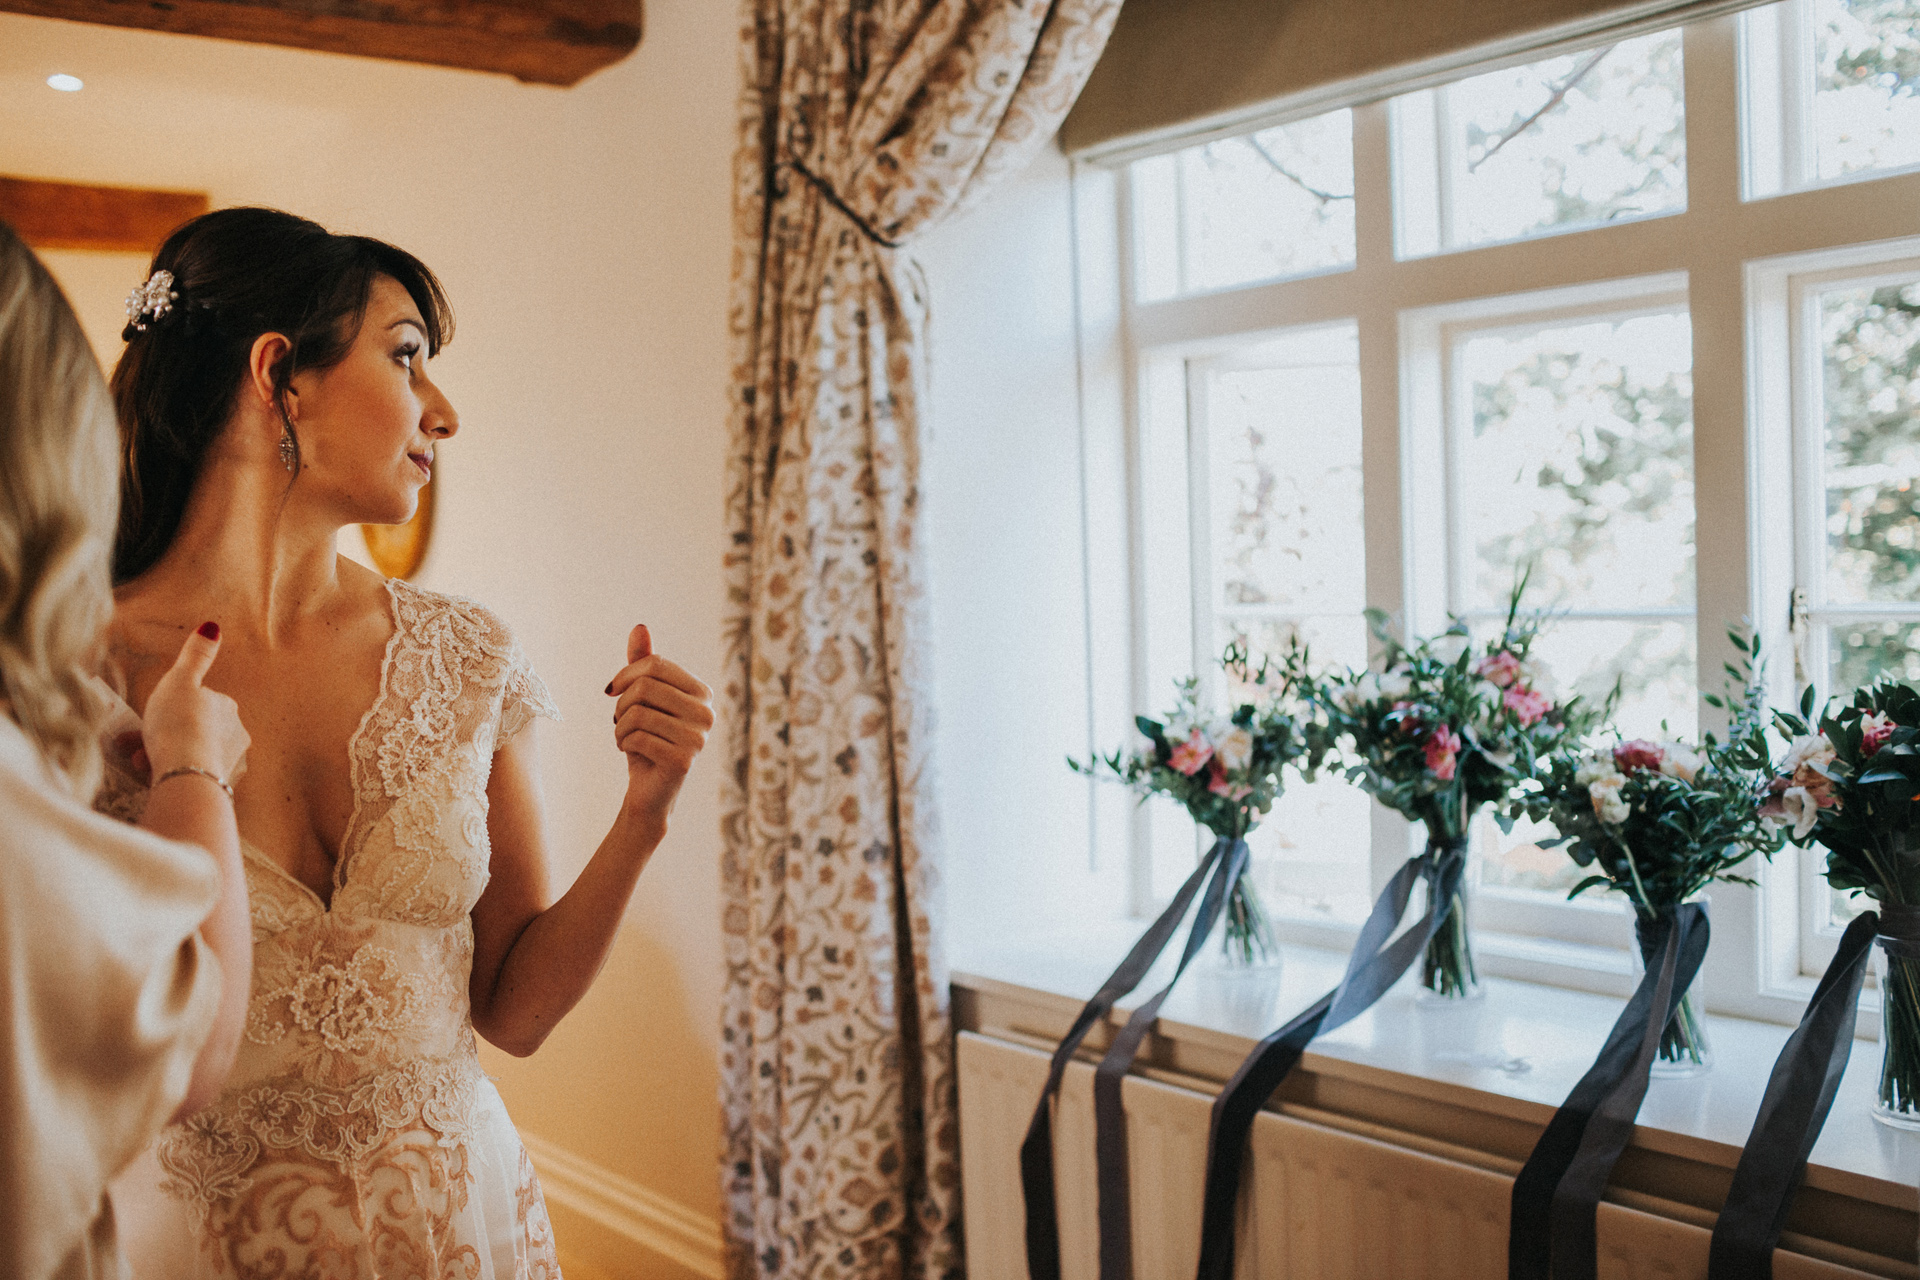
point(237, 275)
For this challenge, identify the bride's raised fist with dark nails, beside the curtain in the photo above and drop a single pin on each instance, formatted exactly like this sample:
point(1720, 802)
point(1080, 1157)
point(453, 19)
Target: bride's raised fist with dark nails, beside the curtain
point(661, 719)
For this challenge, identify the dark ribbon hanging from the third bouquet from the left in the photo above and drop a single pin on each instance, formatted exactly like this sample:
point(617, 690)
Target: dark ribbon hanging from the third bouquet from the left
point(1556, 1197)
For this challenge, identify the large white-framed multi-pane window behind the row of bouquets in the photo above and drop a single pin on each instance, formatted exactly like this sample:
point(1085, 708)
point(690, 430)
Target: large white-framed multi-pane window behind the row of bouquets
point(1552, 318)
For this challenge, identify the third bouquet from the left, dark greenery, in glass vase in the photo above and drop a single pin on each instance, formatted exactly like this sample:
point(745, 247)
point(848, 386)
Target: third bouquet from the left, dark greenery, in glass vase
point(1658, 822)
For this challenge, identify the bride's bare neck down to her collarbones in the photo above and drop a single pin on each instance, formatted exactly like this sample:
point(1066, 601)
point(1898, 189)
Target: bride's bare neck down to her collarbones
point(249, 554)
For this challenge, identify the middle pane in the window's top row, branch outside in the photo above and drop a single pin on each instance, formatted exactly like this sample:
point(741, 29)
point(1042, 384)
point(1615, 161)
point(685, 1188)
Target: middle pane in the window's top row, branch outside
point(1564, 143)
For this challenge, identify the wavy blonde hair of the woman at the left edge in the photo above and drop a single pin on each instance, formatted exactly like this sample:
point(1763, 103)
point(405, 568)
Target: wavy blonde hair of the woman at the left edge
point(59, 504)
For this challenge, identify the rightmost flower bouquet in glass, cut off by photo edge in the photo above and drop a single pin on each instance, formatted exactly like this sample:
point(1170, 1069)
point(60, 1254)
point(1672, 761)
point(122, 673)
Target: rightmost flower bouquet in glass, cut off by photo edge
point(1854, 786)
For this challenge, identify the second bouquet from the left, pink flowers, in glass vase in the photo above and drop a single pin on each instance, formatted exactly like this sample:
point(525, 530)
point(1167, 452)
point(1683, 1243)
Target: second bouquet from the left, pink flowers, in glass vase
point(1441, 730)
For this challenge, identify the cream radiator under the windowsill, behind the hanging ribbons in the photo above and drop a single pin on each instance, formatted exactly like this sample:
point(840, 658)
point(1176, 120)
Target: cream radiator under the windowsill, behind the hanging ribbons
point(1318, 1204)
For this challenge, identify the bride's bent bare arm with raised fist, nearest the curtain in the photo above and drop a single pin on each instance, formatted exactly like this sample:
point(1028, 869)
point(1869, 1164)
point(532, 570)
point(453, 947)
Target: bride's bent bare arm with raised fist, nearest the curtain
point(535, 960)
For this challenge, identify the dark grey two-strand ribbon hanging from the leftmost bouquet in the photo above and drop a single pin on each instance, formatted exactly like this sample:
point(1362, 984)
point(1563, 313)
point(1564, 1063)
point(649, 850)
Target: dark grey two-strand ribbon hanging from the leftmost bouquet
point(1224, 865)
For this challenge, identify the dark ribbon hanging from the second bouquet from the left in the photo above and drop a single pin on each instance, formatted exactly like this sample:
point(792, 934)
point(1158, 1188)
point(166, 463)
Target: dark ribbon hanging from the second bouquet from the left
point(1374, 968)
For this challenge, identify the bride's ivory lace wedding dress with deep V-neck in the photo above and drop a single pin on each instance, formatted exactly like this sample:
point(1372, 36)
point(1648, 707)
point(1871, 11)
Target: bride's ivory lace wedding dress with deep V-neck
point(358, 1137)
